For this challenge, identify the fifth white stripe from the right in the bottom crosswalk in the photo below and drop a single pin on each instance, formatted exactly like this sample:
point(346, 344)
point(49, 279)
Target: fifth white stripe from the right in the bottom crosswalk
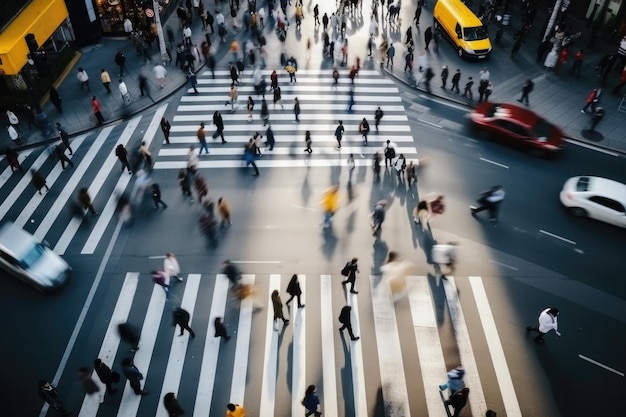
point(356, 361)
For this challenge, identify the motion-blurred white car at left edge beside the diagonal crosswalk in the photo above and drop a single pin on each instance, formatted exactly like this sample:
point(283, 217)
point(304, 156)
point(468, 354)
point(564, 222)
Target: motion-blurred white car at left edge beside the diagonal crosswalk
point(25, 257)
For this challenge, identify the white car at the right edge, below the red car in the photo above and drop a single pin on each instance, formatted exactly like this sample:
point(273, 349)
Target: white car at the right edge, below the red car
point(599, 198)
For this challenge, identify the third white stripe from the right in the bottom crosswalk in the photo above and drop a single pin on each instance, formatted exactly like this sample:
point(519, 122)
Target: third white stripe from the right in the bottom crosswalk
point(432, 362)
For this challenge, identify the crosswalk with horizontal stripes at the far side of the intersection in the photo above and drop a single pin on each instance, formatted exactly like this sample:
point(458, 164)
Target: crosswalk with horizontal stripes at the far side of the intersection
point(322, 105)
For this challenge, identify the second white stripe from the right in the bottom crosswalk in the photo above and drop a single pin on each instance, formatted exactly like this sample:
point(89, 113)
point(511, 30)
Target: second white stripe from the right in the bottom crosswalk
point(464, 344)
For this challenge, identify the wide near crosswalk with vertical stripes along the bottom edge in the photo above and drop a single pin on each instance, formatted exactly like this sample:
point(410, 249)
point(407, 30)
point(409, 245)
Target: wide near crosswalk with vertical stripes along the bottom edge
point(267, 370)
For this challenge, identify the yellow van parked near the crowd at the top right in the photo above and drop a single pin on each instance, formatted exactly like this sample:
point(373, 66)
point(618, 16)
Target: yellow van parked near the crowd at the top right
point(463, 28)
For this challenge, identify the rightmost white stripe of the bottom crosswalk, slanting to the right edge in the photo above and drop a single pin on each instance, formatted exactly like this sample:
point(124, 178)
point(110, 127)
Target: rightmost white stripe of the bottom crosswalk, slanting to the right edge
point(505, 382)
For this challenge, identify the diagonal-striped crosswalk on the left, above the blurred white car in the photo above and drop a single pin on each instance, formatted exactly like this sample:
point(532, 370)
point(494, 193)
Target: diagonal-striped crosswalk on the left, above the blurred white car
point(50, 216)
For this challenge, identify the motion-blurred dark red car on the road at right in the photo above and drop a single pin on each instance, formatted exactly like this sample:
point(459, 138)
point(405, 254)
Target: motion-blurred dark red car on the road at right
point(519, 127)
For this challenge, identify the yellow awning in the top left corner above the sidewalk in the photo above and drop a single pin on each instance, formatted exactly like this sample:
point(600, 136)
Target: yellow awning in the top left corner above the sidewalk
point(41, 18)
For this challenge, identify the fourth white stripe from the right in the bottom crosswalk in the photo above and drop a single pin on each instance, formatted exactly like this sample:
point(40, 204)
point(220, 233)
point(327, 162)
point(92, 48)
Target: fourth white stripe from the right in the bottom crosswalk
point(393, 383)
